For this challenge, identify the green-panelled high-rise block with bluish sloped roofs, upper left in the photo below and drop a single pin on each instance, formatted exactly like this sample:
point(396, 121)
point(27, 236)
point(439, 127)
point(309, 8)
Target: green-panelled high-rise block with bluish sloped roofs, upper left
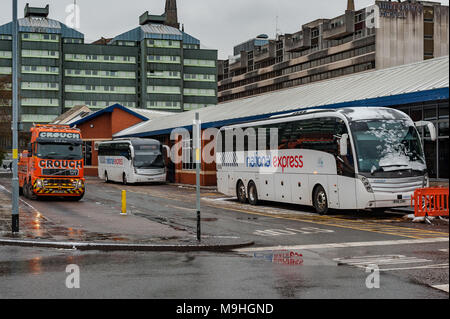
point(154, 66)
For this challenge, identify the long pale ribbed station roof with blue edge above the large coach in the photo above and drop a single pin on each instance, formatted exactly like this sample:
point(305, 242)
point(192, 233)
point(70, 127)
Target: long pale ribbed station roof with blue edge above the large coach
point(410, 83)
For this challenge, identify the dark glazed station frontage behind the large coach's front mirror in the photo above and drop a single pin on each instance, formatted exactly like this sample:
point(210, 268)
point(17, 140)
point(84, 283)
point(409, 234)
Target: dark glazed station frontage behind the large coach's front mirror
point(436, 153)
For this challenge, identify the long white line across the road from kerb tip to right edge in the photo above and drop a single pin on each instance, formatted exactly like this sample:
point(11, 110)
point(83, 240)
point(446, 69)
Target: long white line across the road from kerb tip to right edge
point(348, 245)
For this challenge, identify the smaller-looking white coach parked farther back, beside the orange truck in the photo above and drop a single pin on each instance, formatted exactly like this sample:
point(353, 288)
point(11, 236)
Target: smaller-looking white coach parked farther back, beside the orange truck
point(132, 161)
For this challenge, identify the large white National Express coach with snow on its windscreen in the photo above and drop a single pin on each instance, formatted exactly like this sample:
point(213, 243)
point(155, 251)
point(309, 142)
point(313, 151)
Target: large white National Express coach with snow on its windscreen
point(352, 158)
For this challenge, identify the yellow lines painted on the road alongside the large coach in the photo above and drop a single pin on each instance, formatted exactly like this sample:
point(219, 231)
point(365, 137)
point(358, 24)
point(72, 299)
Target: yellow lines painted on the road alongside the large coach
point(361, 225)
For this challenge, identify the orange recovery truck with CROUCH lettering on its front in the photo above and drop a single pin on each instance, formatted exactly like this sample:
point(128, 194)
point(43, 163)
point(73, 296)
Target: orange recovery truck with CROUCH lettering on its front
point(53, 165)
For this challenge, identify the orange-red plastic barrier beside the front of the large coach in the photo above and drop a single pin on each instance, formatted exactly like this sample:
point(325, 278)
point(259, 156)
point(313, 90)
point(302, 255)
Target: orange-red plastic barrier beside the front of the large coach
point(431, 201)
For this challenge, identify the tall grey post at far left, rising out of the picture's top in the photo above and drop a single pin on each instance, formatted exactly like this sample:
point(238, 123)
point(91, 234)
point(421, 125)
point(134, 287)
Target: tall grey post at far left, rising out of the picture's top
point(15, 116)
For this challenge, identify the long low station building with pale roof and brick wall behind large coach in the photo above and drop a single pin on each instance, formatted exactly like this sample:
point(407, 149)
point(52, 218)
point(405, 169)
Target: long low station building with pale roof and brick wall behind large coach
point(420, 89)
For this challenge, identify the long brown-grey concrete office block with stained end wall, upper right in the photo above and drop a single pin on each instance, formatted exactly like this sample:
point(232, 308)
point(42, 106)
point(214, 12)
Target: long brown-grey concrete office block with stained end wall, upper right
point(380, 36)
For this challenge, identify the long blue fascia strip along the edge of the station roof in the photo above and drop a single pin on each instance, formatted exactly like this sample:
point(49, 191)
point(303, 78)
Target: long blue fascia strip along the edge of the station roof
point(385, 101)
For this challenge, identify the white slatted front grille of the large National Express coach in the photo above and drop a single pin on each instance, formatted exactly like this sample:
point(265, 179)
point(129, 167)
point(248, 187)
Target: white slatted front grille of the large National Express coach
point(397, 185)
